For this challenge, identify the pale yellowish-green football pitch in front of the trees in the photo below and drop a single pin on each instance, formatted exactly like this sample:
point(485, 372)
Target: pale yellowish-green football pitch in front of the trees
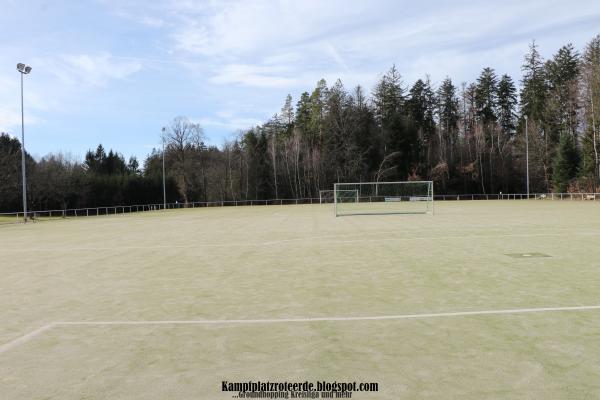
point(132, 306)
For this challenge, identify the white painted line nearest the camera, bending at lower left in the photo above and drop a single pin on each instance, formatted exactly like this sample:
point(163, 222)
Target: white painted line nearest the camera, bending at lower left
point(25, 338)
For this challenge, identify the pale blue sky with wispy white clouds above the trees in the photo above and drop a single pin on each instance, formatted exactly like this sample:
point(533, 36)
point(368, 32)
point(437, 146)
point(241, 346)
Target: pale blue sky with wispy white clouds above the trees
point(116, 71)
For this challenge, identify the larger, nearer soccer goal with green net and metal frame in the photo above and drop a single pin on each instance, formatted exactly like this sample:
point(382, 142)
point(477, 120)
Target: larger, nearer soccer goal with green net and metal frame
point(410, 197)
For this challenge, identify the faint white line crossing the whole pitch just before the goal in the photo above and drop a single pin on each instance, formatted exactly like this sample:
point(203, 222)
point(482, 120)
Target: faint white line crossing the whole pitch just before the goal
point(295, 240)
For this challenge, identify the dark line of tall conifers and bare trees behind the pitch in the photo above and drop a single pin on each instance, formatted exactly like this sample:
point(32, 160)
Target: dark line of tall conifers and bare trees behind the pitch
point(467, 138)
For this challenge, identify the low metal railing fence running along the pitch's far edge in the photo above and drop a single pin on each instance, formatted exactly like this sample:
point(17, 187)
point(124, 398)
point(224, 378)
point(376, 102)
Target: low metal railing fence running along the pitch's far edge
point(16, 217)
